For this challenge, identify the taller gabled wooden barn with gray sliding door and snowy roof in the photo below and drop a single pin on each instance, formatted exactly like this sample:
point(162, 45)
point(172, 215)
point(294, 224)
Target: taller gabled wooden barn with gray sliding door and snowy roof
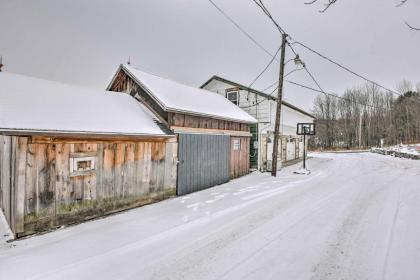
point(213, 134)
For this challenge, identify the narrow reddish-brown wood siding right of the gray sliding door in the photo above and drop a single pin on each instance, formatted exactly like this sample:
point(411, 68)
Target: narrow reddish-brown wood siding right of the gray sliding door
point(239, 158)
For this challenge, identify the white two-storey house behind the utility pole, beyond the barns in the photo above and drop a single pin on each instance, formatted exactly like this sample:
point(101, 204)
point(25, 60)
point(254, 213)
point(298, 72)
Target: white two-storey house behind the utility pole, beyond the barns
point(262, 106)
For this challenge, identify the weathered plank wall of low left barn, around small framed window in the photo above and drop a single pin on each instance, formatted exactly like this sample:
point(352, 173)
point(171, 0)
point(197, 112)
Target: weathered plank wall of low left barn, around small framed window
point(126, 174)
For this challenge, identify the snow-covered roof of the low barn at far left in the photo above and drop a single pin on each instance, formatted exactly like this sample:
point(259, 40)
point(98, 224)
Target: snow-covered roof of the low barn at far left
point(35, 105)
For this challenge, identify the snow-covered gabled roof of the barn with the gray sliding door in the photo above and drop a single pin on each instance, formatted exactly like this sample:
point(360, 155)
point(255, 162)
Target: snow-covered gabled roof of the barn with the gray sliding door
point(176, 97)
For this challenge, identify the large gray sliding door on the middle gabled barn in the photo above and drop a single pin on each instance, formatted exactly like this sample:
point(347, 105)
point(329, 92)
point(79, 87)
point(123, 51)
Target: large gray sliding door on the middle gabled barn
point(203, 161)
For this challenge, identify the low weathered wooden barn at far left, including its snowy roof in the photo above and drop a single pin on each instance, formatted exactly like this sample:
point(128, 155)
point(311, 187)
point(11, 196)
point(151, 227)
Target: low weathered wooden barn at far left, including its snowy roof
point(68, 154)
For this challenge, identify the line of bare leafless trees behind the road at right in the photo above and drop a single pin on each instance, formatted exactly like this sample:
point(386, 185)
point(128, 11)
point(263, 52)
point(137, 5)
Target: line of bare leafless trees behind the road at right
point(366, 116)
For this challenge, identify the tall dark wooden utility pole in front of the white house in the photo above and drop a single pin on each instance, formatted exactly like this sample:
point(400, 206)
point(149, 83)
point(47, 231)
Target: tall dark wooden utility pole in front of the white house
point(278, 111)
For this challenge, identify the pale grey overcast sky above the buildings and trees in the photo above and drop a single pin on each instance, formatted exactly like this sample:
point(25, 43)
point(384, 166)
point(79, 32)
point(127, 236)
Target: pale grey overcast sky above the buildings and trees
point(82, 42)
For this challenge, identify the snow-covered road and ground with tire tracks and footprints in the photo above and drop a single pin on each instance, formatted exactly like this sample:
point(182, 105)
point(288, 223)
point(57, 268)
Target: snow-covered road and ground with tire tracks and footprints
point(356, 216)
